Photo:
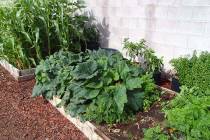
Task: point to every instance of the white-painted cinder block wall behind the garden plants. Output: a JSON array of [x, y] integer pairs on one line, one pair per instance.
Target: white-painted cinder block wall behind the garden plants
[[172, 27]]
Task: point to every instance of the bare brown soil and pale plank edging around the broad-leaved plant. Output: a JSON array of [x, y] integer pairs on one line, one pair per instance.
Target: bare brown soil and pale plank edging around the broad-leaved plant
[[123, 131]]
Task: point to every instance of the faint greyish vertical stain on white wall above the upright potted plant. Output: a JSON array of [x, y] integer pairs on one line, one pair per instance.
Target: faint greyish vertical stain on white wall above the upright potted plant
[[150, 22]]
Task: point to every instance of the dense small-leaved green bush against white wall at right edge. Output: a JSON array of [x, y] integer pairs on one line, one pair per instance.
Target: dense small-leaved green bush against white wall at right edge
[[194, 71]]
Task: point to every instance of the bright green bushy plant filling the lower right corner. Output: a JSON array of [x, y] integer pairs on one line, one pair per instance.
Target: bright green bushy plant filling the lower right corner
[[188, 116]]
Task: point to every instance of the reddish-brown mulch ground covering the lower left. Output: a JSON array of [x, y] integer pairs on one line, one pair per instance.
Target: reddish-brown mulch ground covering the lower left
[[24, 118]]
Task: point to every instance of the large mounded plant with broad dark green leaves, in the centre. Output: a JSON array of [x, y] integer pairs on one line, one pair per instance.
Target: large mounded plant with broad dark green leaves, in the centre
[[94, 85]]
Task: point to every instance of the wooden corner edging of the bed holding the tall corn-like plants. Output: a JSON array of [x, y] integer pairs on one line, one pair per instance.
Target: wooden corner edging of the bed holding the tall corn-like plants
[[19, 75]]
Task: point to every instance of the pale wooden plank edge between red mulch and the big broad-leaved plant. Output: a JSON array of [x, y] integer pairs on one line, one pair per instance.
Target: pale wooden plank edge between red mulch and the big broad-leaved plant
[[87, 128]]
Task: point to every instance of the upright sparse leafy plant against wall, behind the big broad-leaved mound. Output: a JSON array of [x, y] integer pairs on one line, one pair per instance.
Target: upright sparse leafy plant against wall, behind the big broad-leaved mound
[[140, 50]]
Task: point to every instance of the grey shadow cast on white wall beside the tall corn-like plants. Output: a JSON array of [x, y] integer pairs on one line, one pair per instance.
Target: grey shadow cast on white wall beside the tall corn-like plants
[[103, 28]]
